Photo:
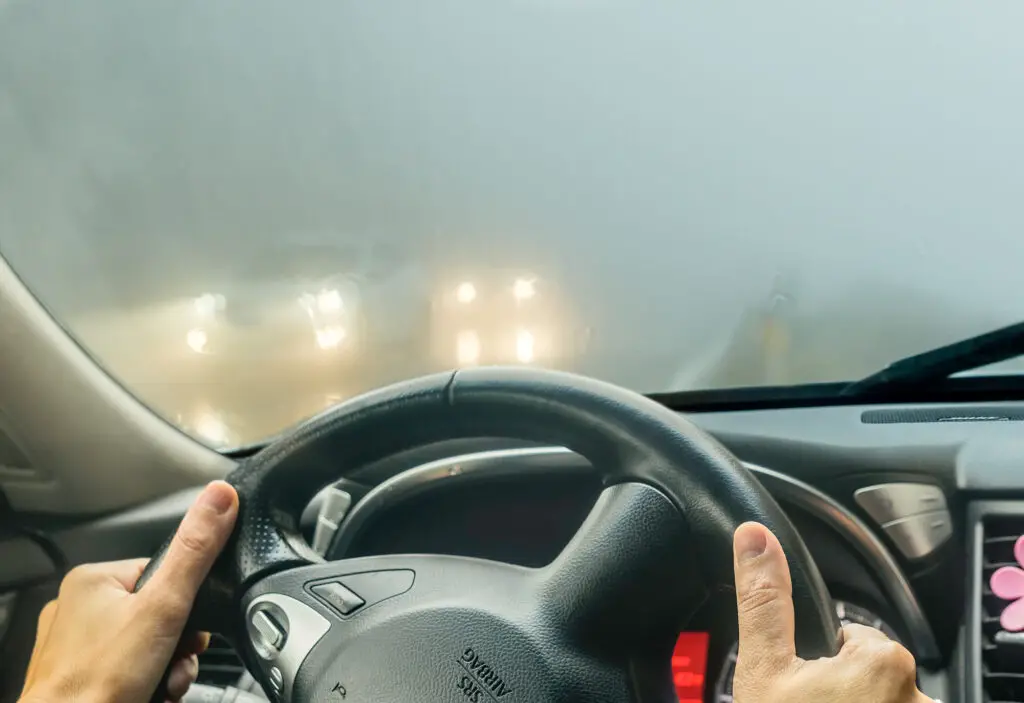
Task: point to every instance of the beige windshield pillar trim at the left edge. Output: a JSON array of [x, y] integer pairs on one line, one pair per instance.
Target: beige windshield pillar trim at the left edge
[[92, 447]]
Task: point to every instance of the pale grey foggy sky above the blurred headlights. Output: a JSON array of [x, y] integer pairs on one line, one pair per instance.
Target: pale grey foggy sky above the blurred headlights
[[666, 159]]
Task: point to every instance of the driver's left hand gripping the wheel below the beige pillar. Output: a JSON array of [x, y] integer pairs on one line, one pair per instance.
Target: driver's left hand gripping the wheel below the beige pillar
[[101, 643]]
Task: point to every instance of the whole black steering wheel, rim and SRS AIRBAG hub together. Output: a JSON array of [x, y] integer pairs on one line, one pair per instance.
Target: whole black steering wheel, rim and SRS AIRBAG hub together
[[598, 625]]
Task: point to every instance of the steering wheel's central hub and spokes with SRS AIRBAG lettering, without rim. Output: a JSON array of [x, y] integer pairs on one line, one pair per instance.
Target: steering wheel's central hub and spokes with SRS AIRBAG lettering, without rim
[[436, 626]]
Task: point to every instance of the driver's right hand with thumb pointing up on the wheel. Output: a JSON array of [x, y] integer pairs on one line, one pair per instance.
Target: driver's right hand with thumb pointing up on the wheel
[[869, 668]]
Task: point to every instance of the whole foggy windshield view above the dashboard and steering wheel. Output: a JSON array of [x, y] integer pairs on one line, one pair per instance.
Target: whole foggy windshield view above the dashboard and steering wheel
[[248, 211]]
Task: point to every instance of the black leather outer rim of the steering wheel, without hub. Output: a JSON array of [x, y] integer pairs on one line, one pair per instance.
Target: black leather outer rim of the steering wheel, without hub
[[626, 437]]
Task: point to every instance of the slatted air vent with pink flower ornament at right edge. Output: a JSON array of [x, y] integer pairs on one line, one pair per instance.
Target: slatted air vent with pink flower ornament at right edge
[[1002, 652]]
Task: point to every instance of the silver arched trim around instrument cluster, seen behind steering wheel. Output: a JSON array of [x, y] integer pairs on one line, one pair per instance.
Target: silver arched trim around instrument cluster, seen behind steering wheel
[[503, 463]]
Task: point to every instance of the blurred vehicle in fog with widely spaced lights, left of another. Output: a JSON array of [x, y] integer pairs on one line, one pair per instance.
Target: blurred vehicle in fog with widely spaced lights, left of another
[[339, 306]]
